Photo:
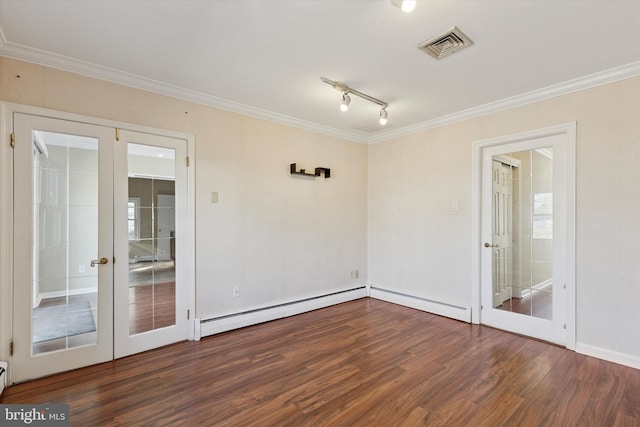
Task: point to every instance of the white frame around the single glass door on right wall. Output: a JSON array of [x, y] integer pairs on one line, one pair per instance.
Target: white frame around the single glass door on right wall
[[567, 130]]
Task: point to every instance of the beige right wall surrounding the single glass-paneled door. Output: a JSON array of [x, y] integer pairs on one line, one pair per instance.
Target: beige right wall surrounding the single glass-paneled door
[[420, 247]]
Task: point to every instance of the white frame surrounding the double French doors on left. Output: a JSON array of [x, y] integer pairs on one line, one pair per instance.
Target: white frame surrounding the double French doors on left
[[6, 209]]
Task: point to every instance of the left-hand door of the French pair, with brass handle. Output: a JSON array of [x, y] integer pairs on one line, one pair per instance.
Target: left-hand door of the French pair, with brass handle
[[63, 246]]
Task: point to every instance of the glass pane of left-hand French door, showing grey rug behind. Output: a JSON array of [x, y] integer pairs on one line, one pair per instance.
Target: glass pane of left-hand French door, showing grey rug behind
[[65, 240]]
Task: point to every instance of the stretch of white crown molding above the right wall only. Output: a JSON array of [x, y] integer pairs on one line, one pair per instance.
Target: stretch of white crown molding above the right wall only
[[592, 80]]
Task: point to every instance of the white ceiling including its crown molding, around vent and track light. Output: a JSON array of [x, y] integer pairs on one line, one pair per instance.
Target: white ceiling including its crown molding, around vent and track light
[[265, 58]]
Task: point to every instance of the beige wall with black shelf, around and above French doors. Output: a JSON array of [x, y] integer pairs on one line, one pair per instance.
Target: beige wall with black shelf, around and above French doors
[[280, 238]]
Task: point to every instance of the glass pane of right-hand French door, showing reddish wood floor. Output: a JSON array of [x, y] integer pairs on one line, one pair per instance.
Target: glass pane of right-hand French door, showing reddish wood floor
[[151, 214]]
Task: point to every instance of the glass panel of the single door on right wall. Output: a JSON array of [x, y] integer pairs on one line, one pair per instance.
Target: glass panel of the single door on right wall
[[522, 232]]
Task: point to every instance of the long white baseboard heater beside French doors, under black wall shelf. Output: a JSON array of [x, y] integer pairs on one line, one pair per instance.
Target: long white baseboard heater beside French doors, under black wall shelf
[[216, 325]]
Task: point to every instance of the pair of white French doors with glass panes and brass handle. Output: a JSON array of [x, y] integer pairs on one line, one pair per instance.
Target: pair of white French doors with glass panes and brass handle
[[94, 278]]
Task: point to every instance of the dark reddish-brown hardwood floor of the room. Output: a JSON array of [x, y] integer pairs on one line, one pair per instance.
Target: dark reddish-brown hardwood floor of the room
[[361, 363]]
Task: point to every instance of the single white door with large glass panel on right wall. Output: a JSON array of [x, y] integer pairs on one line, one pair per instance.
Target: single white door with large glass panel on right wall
[[524, 210]]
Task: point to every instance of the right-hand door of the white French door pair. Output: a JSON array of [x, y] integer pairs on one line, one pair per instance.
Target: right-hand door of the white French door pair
[[151, 234]]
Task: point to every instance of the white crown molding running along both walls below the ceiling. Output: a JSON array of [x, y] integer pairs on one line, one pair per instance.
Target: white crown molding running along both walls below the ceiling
[[41, 57]]
